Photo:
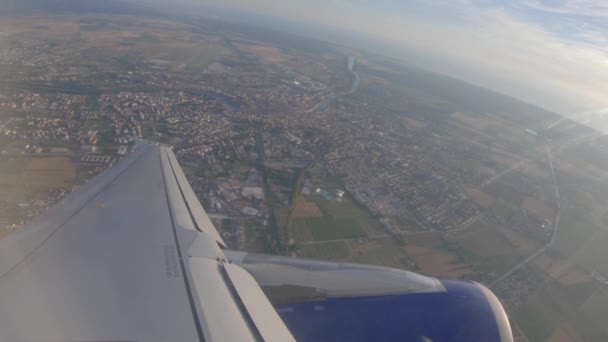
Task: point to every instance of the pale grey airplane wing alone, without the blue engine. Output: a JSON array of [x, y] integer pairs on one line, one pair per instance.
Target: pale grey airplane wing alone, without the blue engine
[[130, 256]]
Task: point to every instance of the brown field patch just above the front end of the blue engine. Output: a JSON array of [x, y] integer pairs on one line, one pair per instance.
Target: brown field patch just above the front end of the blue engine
[[435, 263]]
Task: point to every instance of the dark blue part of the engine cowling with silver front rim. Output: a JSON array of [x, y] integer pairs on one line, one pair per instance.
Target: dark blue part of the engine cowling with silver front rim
[[466, 311]]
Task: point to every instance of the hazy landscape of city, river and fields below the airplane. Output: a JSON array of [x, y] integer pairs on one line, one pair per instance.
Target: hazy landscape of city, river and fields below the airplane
[[302, 148]]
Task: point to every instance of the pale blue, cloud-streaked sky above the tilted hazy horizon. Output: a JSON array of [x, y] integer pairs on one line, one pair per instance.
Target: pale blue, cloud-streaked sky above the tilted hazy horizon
[[550, 53]]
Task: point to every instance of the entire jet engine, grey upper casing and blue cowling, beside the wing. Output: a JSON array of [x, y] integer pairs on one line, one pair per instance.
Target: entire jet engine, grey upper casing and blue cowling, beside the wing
[[329, 301]]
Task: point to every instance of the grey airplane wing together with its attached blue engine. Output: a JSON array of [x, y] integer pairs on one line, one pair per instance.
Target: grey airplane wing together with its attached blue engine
[[132, 256]]
